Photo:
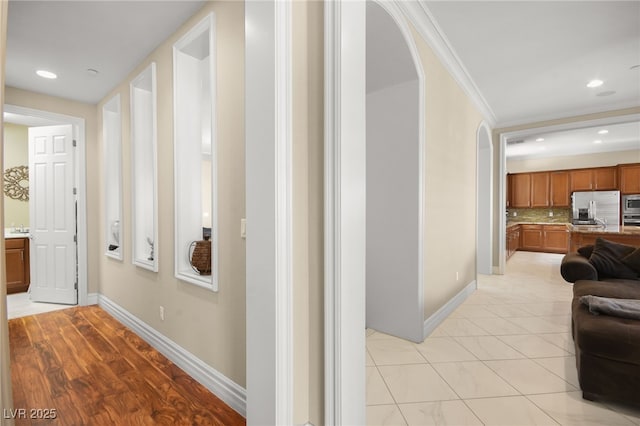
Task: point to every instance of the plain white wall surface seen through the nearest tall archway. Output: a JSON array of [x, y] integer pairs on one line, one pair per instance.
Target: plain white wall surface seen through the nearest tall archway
[[393, 299]]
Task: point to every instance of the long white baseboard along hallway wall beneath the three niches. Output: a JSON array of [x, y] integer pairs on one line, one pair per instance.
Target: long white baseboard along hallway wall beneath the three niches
[[231, 393]]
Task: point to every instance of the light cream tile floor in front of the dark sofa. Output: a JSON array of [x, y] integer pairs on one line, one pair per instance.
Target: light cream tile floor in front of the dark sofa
[[504, 357]]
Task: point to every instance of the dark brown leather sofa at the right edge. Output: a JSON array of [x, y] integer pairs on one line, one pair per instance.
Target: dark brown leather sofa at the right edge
[[607, 347]]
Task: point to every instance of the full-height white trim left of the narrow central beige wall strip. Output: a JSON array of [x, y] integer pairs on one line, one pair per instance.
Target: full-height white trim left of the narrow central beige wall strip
[[268, 85]]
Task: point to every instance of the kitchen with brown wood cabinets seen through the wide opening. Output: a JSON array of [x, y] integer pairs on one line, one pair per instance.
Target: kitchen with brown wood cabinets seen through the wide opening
[[556, 199]]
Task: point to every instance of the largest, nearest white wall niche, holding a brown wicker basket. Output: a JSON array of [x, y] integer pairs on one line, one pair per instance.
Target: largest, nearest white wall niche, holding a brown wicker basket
[[195, 165]]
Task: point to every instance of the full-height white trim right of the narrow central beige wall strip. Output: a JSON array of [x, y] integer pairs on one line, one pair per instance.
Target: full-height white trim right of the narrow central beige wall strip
[[345, 206]]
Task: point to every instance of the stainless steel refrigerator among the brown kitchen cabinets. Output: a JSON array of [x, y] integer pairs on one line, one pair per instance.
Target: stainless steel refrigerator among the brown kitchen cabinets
[[596, 207]]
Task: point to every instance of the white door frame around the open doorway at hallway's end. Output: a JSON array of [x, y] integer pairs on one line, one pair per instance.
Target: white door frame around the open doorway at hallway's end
[[79, 132]]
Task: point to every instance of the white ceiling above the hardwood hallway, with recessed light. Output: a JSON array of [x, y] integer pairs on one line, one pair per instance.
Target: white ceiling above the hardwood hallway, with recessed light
[[71, 37]]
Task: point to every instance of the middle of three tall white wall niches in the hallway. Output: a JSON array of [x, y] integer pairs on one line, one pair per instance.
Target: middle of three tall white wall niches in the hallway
[[144, 174]]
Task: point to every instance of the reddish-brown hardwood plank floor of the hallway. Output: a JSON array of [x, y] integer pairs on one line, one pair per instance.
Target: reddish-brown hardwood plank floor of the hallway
[[82, 367]]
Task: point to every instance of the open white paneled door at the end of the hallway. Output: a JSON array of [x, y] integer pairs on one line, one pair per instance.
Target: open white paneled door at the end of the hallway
[[52, 215]]
